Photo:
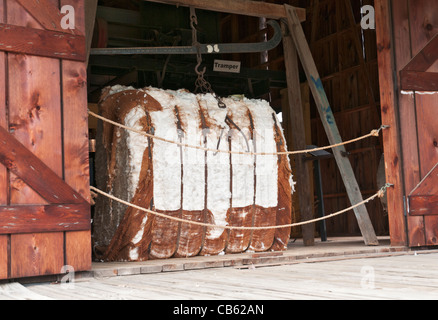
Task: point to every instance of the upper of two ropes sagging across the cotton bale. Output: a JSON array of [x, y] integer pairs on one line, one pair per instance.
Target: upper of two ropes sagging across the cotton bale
[[373, 133]]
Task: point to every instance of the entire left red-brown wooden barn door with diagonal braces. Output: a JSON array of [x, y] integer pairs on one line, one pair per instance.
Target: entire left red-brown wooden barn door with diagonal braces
[[44, 168]]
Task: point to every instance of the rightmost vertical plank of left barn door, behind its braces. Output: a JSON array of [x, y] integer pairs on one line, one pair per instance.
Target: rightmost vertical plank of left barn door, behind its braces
[[75, 130]]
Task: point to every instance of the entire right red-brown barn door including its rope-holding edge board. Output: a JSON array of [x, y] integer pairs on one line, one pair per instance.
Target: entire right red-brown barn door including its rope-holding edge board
[[407, 31]]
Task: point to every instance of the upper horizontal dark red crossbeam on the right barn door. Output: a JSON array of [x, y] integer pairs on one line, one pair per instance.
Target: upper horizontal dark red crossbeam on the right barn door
[[418, 81]]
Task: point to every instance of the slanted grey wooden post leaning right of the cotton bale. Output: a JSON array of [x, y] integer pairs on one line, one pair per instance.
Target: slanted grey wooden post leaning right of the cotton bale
[[330, 126]]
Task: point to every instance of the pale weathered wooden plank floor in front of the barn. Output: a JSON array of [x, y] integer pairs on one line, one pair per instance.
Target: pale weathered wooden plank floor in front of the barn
[[386, 275]]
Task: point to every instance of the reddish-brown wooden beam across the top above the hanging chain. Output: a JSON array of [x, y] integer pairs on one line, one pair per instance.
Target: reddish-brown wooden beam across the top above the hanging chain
[[242, 7]]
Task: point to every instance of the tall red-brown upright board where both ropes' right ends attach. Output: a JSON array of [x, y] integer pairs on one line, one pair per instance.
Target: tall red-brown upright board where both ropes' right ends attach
[[393, 157]]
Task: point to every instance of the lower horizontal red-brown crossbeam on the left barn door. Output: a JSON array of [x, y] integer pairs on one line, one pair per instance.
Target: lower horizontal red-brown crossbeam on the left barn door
[[44, 218]]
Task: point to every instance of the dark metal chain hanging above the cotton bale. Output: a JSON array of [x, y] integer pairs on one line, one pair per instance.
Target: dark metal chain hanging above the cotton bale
[[201, 84]]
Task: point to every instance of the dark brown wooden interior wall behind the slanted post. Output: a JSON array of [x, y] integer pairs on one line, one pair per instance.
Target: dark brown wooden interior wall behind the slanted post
[[346, 57]]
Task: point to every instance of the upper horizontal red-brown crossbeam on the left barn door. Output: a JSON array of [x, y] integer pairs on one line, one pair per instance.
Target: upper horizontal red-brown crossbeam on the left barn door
[[42, 43]]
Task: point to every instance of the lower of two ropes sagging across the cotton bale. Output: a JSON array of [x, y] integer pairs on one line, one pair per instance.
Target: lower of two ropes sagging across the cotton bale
[[379, 194]]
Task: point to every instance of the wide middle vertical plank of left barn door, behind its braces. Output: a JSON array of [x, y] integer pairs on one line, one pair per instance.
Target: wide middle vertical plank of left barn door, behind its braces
[[35, 120]]
